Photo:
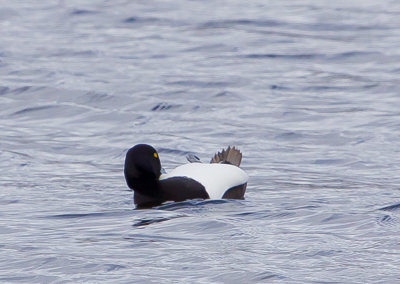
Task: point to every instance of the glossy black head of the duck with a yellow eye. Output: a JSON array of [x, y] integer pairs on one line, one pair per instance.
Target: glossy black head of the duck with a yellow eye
[[142, 169]]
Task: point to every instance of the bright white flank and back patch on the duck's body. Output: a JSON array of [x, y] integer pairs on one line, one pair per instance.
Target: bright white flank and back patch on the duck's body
[[216, 178]]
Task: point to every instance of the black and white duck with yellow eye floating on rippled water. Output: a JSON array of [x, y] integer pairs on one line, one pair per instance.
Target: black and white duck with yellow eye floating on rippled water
[[222, 178]]
